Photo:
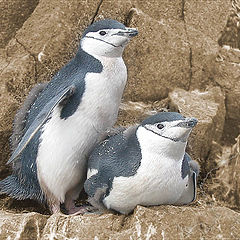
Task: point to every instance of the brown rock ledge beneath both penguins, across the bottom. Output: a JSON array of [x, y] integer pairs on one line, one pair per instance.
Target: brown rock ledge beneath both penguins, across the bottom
[[194, 222]]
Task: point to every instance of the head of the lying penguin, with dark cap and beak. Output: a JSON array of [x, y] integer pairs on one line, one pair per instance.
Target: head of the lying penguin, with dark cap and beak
[[170, 125]]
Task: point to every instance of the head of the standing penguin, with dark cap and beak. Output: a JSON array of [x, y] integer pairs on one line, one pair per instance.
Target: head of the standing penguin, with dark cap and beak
[[106, 38]]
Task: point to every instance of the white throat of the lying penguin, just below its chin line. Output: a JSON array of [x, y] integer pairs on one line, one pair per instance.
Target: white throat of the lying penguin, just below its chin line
[[163, 147]]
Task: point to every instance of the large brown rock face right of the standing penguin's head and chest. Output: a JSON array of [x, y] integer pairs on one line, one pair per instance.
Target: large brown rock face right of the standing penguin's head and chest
[[176, 45]]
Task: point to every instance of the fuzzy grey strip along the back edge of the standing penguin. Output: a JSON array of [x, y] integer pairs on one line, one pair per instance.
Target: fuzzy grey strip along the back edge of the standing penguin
[[21, 115]]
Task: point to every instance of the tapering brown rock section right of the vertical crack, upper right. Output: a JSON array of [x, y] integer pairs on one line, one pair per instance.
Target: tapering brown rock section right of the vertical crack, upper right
[[204, 21]]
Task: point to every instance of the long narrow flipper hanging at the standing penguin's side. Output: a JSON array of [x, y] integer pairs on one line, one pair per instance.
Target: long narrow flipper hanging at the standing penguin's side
[[41, 119]]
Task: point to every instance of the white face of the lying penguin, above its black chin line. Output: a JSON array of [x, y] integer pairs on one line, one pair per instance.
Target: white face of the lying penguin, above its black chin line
[[177, 131]]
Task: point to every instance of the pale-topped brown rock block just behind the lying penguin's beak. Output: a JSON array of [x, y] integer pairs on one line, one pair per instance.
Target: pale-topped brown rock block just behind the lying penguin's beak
[[208, 107]]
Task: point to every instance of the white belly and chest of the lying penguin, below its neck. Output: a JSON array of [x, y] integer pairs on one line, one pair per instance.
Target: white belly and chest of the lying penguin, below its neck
[[156, 182]]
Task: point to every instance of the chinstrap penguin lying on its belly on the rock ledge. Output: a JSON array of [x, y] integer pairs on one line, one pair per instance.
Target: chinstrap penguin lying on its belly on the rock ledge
[[144, 165]]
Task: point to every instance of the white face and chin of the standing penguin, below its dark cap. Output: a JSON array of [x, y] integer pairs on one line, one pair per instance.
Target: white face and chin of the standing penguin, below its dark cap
[[107, 42]]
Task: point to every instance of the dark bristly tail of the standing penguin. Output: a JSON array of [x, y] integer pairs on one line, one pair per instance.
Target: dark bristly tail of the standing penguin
[[13, 187]]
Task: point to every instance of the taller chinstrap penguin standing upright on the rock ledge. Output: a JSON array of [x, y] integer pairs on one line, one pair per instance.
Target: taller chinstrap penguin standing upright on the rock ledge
[[61, 121]]
